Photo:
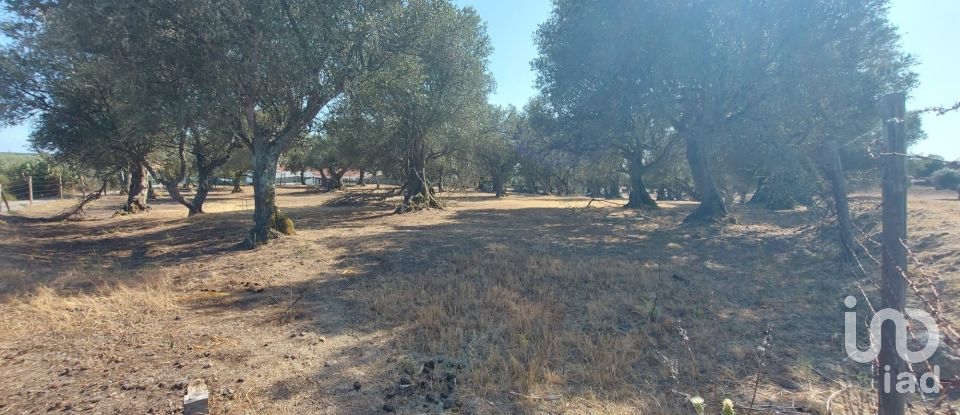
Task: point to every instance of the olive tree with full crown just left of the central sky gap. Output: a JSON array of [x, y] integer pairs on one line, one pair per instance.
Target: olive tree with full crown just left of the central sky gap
[[420, 99]]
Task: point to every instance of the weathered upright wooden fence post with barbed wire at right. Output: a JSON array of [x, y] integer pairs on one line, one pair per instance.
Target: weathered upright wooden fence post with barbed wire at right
[[894, 286]]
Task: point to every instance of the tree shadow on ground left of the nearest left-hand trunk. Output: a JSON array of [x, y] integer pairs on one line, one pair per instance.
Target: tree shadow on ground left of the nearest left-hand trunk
[[37, 254]]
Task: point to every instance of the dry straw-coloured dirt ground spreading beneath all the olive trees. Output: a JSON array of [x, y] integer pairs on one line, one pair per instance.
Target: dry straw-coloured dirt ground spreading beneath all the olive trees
[[520, 305]]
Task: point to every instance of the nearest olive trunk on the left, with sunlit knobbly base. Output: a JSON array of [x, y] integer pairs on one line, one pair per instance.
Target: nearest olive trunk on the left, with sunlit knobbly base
[[264, 196]]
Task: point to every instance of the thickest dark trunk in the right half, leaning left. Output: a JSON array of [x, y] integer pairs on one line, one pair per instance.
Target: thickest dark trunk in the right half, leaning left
[[711, 207]]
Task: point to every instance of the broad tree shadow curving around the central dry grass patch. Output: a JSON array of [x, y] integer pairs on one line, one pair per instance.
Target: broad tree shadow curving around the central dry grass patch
[[754, 272]]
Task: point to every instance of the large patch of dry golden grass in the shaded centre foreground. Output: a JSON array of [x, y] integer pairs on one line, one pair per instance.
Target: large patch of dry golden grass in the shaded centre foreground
[[552, 331]]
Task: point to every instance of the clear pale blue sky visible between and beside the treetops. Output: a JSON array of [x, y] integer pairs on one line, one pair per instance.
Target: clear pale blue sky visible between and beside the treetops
[[929, 29]]
